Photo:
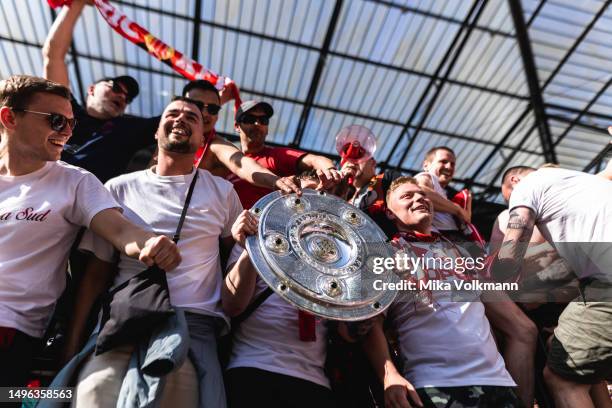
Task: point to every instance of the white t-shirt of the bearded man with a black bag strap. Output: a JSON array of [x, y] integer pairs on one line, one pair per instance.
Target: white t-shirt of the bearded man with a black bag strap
[[155, 203]]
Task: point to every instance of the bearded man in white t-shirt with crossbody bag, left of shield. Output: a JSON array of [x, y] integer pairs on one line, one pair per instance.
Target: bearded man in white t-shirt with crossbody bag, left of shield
[[154, 199]]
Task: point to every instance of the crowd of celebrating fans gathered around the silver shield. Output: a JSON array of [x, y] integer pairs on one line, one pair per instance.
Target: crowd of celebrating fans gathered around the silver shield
[[64, 188]]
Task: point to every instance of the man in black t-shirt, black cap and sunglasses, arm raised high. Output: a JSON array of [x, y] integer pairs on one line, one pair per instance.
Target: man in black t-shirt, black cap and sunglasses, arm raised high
[[105, 139]]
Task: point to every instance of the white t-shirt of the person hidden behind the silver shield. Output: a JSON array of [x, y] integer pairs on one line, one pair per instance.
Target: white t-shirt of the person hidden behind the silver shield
[[269, 340]]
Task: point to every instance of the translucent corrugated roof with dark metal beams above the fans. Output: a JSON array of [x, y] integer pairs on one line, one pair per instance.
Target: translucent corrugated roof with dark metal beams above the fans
[[502, 82]]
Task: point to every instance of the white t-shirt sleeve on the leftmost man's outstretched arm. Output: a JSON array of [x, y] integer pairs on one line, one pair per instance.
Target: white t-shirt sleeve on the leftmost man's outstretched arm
[[90, 197]]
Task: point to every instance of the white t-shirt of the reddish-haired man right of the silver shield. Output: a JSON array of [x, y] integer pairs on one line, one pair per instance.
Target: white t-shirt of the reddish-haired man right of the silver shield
[[446, 343]]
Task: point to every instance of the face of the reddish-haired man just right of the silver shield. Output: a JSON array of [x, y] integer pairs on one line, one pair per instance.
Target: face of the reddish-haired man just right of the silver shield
[[410, 207]]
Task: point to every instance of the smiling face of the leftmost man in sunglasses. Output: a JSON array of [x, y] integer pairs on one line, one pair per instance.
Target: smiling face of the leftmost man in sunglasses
[[33, 137]]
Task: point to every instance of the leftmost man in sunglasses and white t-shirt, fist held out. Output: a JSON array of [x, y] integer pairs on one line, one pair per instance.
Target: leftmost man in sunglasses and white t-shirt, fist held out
[[43, 204]]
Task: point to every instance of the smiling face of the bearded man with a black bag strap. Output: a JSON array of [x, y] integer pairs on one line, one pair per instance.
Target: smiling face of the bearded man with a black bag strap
[[180, 128]]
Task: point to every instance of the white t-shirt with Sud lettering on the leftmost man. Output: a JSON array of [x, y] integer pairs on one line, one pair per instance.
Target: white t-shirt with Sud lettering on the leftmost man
[[40, 216]]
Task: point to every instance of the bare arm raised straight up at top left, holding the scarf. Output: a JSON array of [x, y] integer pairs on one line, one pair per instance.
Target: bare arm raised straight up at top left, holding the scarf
[[58, 43]]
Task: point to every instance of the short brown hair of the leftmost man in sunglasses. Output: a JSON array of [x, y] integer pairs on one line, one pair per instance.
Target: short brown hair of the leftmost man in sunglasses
[[17, 91]]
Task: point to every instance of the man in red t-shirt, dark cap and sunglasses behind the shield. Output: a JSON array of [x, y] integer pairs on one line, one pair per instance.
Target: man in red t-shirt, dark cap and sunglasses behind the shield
[[252, 120]]
